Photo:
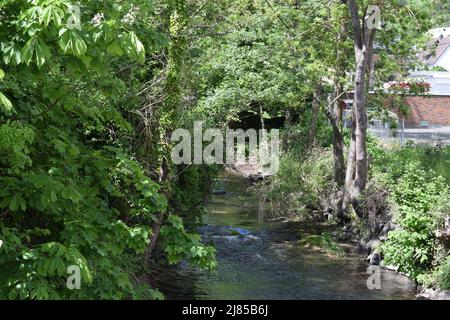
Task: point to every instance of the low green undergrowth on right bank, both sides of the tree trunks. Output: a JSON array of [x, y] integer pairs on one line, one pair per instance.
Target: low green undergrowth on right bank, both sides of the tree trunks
[[409, 186]]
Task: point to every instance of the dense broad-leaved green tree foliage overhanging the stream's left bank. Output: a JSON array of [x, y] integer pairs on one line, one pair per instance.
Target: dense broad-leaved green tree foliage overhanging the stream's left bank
[[73, 191]]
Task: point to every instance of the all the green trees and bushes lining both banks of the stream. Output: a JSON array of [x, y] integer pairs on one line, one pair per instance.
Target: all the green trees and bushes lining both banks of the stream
[[89, 95]]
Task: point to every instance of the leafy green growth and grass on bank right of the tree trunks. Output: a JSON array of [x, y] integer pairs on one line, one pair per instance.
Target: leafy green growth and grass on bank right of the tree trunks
[[420, 198]]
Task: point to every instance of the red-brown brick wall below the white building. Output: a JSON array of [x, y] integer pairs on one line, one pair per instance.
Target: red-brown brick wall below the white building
[[431, 110]]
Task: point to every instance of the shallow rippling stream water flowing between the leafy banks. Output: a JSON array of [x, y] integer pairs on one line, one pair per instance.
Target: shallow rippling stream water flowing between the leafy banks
[[264, 260]]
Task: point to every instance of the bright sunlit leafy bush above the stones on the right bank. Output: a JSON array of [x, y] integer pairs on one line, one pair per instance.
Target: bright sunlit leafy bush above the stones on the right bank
[[419, 196]]
